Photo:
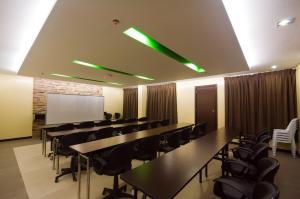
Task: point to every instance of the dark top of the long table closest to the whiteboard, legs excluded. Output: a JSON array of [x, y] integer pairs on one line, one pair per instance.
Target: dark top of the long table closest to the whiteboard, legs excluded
[[95, 128]]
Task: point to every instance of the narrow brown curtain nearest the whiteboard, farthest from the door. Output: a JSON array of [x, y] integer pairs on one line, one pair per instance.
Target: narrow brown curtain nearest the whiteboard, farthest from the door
[[130, 103]]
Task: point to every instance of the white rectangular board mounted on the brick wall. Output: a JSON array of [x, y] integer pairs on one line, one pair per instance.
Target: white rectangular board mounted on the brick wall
[[73, 108]]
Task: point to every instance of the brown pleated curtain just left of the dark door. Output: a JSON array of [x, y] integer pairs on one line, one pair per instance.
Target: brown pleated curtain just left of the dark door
[[162, 102]]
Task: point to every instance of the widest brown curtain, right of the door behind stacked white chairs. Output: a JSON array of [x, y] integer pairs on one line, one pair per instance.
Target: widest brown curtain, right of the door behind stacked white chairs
[[264, 100]]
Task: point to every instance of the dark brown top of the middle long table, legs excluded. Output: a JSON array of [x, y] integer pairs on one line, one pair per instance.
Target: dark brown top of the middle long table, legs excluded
[[113, 141]]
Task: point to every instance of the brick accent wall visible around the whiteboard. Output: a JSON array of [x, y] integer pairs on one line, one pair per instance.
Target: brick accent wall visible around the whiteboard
[[43, 86]]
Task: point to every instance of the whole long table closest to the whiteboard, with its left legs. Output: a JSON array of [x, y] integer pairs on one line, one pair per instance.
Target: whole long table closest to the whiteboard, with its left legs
[[54, 134]]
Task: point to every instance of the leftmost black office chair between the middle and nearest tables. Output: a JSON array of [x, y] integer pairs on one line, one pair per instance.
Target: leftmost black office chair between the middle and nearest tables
[[116, 163]]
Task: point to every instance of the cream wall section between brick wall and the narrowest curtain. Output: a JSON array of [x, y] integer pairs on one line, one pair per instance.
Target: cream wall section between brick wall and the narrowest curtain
[[113, 99]]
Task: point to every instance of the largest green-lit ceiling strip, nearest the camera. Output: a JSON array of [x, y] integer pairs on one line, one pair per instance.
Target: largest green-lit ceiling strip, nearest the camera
[[150, 42]]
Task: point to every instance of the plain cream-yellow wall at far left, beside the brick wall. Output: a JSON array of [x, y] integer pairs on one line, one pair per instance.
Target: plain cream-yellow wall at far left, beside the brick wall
[[15, 106]]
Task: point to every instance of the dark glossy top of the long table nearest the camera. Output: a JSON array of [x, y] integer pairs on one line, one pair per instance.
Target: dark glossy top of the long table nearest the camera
[[167, 175]]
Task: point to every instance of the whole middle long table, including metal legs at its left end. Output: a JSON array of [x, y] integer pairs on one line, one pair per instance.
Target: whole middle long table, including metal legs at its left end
[[85, 149]]
